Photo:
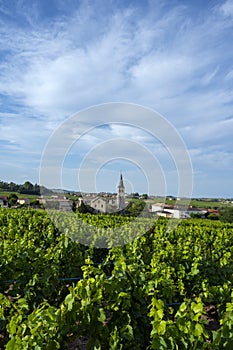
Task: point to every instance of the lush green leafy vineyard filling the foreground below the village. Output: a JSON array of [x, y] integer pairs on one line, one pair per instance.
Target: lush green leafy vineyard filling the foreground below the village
[[166, 289]]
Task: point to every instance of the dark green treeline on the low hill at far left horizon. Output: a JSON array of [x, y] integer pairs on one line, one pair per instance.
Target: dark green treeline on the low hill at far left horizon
[[26, 188]]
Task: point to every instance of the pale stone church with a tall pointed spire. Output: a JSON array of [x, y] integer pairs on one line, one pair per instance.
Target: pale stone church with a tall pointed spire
[[110, 203]]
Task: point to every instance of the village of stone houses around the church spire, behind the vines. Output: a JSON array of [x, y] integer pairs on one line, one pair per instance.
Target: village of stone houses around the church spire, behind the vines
[[111, 203]]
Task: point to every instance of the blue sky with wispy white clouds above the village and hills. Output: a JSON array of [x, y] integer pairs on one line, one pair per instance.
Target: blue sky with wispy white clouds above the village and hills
[[59, 58]]
